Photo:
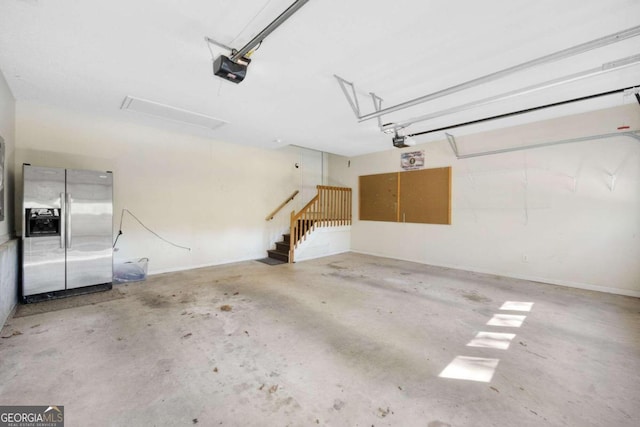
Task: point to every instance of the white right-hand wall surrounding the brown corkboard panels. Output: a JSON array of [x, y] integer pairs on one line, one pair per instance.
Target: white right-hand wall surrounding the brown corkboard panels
[[546, 214]]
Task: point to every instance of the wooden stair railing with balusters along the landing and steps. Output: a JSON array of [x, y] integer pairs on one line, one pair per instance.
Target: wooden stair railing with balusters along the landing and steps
[[331, 207]]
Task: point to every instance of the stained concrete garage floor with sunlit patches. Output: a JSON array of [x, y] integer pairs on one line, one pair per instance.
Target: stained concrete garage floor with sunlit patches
[[349, 340]]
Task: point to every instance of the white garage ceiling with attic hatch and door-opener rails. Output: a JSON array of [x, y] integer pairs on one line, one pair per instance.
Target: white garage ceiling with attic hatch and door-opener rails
[[90, 55]]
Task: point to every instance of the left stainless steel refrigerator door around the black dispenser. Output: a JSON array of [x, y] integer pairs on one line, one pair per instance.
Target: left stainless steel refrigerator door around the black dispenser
[[43, 256]]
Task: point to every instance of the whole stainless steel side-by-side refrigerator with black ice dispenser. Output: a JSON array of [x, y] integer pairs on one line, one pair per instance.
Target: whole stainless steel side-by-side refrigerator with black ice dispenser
[[67, 232]]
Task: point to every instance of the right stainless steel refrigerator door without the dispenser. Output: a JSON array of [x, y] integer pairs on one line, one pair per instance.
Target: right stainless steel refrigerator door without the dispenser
[[89, 228]]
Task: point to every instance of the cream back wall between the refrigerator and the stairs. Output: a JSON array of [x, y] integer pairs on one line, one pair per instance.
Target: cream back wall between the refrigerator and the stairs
[[210, 196]]
